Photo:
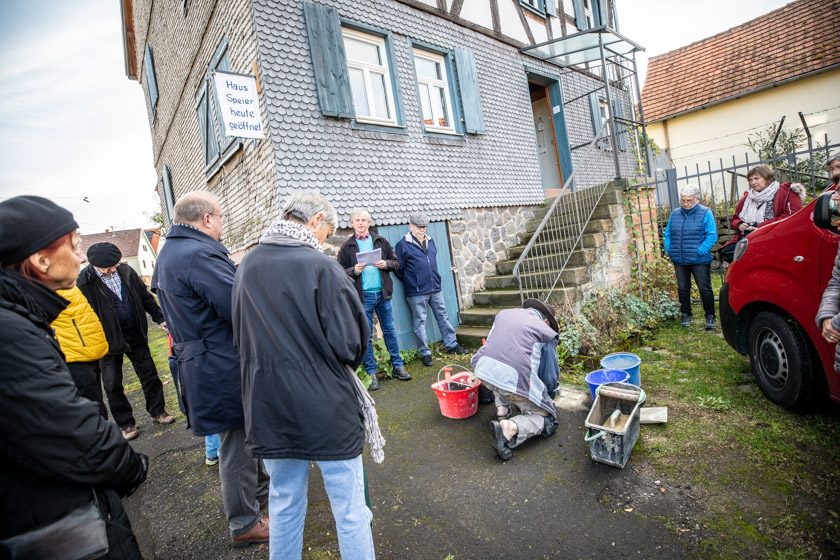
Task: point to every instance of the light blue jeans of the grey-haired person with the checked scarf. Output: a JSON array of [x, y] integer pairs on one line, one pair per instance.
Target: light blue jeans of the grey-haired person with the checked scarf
[[344, 482]]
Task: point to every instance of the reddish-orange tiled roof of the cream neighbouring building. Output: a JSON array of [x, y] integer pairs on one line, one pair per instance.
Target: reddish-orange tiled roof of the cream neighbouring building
[[792, 42]]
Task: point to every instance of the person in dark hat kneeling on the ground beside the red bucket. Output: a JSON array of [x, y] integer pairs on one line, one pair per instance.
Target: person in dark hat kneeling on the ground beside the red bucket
[[519, 364]]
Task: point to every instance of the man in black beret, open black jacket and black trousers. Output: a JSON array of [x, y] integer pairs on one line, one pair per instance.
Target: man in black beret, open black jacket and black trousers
[[121, 300]]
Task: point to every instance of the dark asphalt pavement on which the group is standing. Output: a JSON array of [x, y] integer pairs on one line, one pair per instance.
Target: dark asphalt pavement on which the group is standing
[[441, 493]]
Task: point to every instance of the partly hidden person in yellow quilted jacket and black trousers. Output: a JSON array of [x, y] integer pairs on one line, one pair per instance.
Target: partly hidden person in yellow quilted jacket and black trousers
[[83, 342]]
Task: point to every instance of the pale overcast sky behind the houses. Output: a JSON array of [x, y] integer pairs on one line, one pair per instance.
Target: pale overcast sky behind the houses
[[74, 127]]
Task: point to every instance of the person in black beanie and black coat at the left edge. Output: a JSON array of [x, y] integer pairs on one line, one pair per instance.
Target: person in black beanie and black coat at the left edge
[[60, 460]]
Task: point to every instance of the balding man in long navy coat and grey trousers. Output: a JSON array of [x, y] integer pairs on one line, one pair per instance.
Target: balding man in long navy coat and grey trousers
[[193, 279]]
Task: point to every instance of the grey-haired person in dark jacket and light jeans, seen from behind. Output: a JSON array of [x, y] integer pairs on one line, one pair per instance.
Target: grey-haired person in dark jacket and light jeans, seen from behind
[[301, 332]]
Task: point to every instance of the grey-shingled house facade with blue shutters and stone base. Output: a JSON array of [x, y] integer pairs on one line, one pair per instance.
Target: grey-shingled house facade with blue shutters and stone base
[[394, 106]]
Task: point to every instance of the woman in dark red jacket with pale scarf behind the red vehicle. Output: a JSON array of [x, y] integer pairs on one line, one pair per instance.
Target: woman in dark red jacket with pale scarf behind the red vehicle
[[766, 202]]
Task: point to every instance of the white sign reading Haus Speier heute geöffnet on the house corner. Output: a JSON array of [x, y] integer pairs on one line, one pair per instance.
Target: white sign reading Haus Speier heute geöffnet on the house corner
[[239, 104]]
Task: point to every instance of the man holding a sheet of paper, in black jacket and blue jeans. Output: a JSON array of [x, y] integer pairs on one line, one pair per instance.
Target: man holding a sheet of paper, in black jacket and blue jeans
[[367, 258]]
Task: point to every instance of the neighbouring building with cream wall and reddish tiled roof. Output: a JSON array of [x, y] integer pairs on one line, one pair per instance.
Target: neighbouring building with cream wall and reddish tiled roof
[[702, 101]]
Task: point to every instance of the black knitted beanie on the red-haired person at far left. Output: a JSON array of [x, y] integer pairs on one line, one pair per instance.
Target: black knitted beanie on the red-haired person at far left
[[30, 223]]
